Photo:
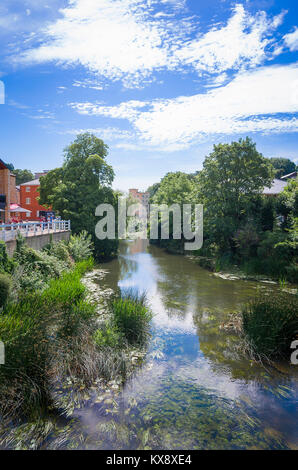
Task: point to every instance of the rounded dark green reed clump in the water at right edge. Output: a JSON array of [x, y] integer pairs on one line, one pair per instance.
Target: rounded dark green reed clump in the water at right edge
[[270, 324]]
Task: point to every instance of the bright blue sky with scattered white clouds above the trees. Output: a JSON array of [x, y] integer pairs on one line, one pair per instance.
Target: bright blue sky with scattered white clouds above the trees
[[159, 81]]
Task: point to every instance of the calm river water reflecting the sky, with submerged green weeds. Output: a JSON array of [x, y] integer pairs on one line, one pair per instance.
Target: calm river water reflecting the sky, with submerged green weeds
[[195, 389]]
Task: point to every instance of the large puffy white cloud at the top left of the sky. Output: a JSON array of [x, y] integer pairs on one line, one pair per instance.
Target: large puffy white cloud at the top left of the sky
[[113, 39]]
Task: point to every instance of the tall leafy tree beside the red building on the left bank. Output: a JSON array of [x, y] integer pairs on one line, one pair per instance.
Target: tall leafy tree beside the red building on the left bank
[[75, 190]]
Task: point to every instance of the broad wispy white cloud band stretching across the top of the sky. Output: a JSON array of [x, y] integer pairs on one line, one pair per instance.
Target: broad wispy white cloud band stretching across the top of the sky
[[129, 39]]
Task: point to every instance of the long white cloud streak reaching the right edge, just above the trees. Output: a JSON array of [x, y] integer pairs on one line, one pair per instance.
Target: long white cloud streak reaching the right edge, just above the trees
[[255, 101]]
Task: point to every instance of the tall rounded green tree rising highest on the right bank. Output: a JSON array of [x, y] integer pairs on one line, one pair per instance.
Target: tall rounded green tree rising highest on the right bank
[[233, 174]]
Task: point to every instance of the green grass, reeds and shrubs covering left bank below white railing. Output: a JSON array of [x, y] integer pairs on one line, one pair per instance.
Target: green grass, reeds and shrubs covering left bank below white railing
[[52, 333]]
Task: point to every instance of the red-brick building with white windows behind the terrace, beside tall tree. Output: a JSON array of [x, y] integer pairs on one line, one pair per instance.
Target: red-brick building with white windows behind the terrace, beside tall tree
[[29, 192]]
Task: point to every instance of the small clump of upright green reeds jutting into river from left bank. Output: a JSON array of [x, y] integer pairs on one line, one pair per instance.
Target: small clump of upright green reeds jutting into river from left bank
[[132, 316]]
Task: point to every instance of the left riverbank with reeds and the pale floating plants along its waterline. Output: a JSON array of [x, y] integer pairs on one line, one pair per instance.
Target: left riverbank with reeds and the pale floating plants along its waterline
[[58, 351]]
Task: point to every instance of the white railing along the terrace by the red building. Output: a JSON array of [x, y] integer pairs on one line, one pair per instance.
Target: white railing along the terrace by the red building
[[31, 229]]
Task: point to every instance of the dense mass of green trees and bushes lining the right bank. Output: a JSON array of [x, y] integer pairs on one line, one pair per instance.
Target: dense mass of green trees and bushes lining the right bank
[[241, 226]]
